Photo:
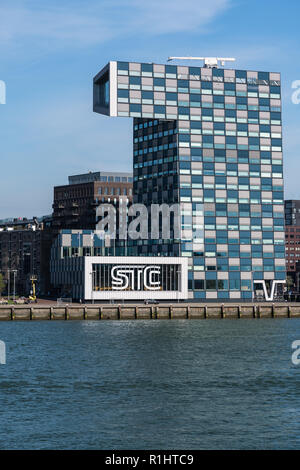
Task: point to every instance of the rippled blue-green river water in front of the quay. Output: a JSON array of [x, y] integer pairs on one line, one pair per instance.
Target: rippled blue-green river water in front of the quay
[[193, 384]]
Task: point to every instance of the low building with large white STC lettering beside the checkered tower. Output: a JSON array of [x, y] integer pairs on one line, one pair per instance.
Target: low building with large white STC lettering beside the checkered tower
[[84, 265]]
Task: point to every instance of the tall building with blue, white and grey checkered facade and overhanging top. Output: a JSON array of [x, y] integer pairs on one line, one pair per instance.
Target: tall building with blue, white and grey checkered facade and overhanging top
[[210, 138]]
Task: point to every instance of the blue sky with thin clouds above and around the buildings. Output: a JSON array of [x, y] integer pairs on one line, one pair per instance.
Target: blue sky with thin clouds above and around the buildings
[[50, 50]]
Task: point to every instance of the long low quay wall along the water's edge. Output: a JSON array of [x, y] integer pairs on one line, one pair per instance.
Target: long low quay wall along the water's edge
[[140, 312]]
